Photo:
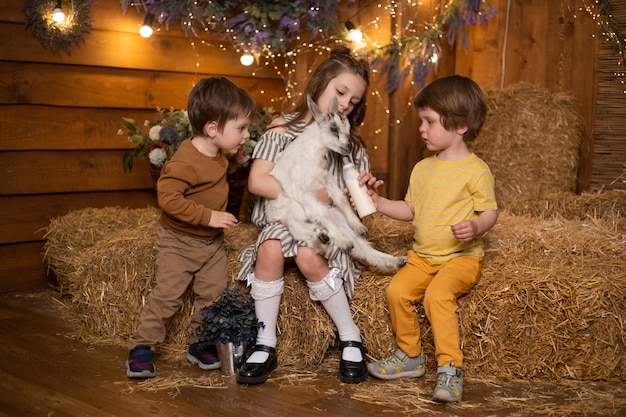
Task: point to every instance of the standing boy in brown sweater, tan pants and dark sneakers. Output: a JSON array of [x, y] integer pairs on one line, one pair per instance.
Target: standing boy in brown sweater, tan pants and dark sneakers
[[192, 194]]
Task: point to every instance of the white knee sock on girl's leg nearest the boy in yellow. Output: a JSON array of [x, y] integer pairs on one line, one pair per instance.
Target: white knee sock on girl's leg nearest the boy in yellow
[[331, 294]]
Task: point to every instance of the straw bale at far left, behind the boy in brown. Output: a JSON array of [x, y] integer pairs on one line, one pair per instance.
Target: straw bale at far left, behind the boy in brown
[[103, 261]]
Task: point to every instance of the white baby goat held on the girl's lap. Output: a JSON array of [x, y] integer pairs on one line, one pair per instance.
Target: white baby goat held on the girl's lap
[[301, 171]]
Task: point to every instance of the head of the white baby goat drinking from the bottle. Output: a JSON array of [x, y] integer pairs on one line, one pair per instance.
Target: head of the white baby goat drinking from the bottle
[[334, 128]]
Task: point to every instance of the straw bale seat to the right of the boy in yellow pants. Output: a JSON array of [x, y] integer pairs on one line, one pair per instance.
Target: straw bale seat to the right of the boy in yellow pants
[[550, 303]]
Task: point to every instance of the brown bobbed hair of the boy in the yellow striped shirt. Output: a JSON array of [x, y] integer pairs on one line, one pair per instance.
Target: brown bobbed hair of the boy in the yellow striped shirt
[[458, 100]]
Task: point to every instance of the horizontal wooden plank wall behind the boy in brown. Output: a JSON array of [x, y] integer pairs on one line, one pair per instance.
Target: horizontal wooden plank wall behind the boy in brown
[[59, 148]]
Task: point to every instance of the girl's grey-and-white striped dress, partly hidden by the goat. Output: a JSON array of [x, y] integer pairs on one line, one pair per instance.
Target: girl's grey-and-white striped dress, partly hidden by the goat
[[269, 147]]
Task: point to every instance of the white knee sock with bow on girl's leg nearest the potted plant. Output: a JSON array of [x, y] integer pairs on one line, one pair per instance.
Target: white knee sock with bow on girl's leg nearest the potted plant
[[267, 297]]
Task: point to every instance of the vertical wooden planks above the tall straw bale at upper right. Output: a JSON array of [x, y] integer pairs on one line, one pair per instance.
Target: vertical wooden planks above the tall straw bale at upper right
[[551, 44]]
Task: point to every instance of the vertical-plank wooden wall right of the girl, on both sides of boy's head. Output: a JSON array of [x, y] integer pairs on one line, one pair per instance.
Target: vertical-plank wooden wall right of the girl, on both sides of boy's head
[[550, 44]]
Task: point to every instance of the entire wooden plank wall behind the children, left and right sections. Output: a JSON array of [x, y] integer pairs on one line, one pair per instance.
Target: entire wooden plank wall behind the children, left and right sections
[[59, 150]]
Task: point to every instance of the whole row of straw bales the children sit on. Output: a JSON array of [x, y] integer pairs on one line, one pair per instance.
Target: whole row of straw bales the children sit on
[[550, 303]]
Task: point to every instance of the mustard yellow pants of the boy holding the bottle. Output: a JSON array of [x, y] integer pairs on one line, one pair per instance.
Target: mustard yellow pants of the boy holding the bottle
[[439, 286]]
